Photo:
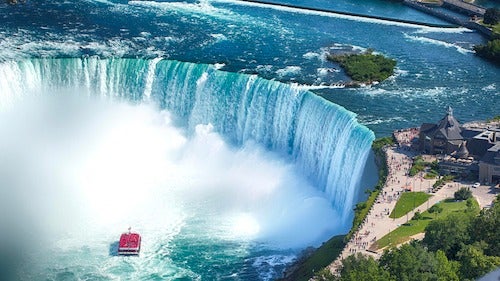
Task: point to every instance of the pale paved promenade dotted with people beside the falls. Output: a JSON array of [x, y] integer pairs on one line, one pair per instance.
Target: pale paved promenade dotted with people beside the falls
[[378, 224]]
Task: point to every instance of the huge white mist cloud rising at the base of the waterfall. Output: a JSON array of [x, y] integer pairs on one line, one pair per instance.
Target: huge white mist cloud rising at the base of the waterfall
[[111, 165]]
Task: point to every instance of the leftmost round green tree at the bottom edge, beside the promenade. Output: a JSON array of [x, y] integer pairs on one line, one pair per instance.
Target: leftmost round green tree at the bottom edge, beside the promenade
[[359, 267]]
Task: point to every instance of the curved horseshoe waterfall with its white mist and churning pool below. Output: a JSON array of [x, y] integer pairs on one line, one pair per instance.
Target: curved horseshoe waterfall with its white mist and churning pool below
[[226, 176]]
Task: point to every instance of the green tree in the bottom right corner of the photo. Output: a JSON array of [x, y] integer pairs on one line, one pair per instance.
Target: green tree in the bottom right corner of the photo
[[474, 263]]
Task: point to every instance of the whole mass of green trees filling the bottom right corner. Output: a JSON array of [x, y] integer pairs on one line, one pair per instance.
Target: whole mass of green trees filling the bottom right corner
[[456, 247]]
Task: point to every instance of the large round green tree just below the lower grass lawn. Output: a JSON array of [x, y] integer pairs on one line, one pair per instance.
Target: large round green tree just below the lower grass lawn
[[448, 234]]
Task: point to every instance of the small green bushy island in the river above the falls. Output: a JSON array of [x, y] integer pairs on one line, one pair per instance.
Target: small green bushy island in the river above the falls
[[365, 67]]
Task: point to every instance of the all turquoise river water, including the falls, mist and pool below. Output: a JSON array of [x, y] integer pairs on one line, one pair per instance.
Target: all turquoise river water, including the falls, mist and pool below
[[276, 168]]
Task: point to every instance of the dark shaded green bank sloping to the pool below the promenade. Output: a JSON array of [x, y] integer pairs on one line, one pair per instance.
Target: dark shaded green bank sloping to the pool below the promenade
[[320, 258]]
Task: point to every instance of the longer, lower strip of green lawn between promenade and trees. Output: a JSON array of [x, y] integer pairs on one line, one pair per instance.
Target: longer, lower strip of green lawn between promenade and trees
[[403, 233]]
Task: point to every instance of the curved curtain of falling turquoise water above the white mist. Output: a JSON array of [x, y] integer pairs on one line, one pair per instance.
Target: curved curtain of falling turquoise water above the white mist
[[323, 139]]
